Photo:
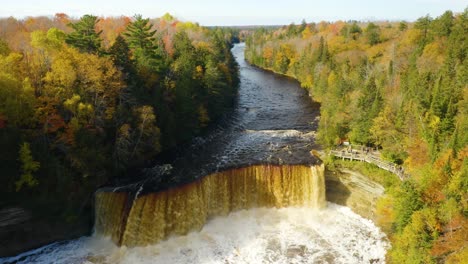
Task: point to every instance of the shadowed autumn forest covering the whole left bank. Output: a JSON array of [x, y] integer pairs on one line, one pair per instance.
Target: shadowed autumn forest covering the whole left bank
[[85, 101]]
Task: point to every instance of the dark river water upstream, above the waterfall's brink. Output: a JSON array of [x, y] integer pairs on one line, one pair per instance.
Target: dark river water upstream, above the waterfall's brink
[[274, 122]]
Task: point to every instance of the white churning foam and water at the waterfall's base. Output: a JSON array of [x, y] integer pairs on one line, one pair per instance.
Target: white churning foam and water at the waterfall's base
[[263, 235]]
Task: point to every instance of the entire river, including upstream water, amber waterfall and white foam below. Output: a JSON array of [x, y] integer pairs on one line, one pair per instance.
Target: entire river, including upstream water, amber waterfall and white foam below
[[247, 193]]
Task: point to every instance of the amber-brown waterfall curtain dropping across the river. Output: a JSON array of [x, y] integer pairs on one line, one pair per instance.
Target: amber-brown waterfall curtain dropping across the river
[[153, 217]]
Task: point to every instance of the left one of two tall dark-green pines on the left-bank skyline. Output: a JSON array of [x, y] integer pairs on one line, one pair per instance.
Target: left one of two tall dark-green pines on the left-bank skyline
[[85, 37]]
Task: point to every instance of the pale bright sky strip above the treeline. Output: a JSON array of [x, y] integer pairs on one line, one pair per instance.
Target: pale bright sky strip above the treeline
[[239, 12]]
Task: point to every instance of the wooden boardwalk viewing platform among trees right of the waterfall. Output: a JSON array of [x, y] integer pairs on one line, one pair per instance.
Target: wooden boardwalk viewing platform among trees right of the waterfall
[[362, 153]]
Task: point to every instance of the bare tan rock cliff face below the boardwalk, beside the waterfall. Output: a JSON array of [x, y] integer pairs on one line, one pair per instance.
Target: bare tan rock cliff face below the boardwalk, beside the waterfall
[[354, 190]]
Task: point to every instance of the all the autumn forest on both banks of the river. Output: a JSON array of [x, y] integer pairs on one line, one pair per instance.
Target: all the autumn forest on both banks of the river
[[92, 100]]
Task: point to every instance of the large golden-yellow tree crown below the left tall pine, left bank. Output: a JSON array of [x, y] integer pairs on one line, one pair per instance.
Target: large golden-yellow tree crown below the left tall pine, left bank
[[94, 79]]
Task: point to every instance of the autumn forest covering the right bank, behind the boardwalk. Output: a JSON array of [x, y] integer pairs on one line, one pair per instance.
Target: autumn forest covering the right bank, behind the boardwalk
[[403, 88]]
